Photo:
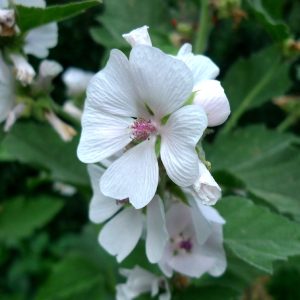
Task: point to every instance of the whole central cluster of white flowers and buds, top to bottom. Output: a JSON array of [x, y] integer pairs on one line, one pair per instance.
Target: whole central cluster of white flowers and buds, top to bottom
[[143, 120]]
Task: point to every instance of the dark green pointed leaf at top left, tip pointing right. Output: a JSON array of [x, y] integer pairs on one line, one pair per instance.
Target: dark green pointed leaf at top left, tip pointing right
[[32, 17]]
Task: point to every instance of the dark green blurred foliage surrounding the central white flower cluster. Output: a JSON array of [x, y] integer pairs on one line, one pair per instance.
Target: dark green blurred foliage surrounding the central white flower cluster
[[48, 248]]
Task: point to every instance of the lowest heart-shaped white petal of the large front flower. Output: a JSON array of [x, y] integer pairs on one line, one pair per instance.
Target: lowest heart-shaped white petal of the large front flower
[[134, 175]]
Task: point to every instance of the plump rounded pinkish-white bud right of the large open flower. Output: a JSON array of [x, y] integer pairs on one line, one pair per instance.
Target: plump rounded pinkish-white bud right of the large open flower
[[210, 95]]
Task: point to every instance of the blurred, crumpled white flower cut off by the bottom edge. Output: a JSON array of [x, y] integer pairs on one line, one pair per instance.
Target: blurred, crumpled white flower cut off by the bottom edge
[[140, 281]]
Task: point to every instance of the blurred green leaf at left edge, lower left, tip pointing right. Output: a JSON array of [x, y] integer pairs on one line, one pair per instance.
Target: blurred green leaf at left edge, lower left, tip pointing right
[[20, 217]]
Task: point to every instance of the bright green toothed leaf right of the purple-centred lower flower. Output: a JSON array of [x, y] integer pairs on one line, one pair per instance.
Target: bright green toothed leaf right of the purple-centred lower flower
[[257, 235]]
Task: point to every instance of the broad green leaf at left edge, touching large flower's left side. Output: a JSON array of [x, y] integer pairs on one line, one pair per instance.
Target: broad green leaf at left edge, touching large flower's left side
[[38, 145]]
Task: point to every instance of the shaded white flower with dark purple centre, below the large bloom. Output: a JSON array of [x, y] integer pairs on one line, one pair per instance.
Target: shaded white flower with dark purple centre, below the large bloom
[[195, 245]]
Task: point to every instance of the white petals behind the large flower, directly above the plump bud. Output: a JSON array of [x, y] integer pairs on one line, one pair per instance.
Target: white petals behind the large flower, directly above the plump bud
[[201, 66]]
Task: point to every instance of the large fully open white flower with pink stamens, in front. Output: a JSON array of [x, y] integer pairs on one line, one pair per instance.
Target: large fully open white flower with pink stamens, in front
[[126, 102]]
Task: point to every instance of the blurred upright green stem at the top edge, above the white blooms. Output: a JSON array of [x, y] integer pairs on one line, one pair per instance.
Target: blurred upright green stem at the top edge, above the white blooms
[[202, 34]]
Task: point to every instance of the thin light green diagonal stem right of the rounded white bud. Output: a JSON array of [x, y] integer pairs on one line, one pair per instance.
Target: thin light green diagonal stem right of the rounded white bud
[[248, 100]]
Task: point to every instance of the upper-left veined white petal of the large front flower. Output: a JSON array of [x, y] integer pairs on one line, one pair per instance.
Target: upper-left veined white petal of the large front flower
[[112, 89]]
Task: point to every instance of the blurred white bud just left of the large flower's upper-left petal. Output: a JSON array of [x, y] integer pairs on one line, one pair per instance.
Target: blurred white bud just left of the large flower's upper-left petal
[[76, 81]]
